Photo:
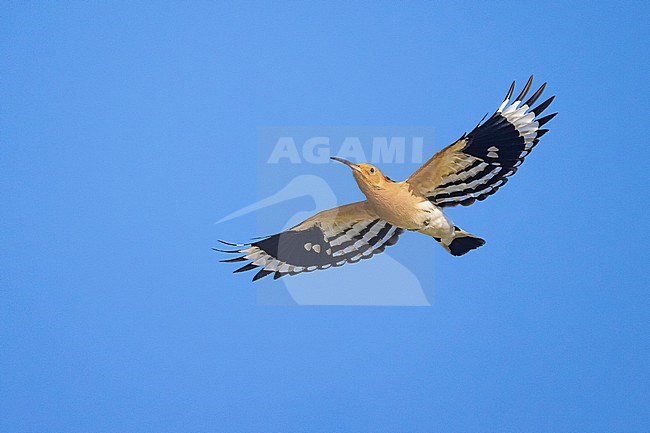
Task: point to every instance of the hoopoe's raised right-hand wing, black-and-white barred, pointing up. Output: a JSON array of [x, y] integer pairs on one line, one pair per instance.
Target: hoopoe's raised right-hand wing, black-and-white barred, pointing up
[[480, 162]]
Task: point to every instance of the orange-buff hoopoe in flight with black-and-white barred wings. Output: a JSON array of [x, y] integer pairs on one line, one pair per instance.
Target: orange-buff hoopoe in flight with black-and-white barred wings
[[472, 168]]
